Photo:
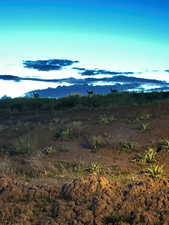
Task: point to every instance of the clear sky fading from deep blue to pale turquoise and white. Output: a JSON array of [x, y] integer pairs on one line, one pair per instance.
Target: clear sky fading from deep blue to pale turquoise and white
[[119, 35]]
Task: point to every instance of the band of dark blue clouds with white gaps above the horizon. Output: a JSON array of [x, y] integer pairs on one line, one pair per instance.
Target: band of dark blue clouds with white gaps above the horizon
[[88, 79]]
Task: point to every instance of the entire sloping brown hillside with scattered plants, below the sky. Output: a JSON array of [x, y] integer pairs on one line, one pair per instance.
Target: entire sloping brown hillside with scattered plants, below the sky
[[85, 160]]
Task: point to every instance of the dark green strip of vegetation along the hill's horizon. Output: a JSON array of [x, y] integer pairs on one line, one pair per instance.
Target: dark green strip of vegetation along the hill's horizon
[[114, 99]]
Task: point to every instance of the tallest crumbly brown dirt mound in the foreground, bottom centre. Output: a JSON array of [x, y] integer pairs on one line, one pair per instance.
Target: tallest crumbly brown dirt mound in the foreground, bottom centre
[[92, 199]]
